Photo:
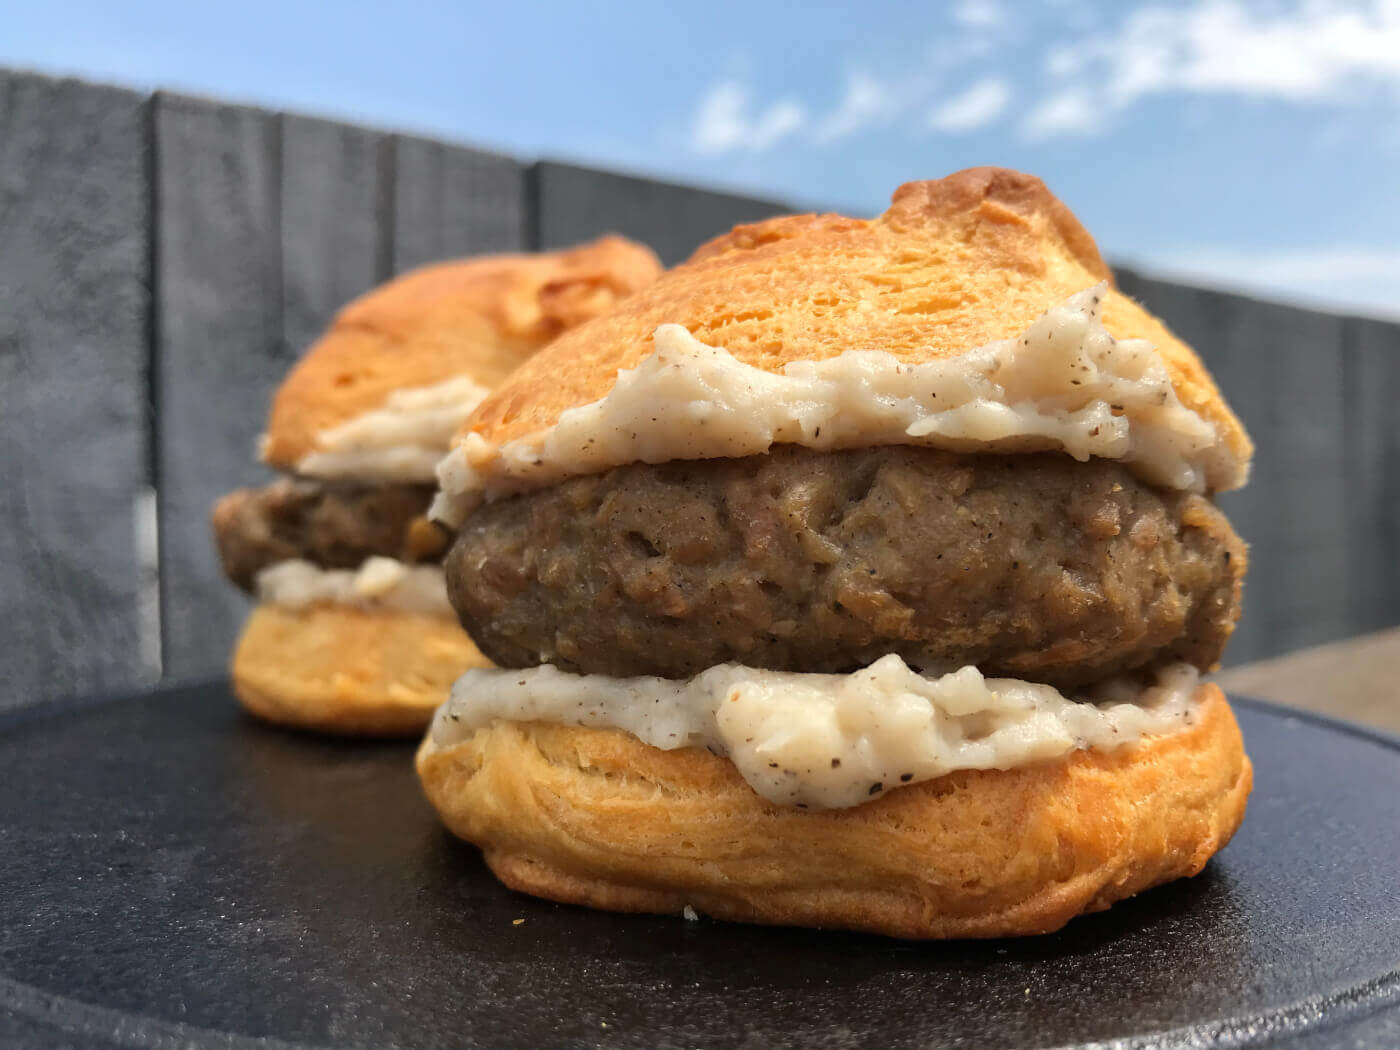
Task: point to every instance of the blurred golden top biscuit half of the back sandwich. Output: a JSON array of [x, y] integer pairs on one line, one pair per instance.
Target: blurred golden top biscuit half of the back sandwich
[[472, 317]]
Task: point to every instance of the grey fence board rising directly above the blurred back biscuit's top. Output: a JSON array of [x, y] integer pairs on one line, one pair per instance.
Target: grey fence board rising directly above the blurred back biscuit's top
[[450, 201]]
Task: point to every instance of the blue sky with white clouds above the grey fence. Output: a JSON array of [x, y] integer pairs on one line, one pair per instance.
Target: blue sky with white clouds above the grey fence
[[1244, 143]]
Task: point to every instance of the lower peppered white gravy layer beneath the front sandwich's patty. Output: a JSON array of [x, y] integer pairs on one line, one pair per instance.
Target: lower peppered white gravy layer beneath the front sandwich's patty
[[834, 741]]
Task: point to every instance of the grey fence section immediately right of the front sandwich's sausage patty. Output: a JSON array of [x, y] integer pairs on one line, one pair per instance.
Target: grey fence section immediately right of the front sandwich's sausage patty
[[1282, 370]]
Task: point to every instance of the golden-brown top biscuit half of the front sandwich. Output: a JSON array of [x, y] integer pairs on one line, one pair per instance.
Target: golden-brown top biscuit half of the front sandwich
[[953, 265]]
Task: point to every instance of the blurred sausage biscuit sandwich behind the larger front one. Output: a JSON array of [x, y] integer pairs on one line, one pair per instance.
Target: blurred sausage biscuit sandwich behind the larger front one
[[353, 632]]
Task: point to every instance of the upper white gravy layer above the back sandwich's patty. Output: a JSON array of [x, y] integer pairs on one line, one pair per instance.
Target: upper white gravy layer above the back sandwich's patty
[[402, 440]]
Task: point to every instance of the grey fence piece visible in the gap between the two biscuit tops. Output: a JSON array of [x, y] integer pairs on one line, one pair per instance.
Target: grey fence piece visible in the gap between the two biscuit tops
[[580, 204]]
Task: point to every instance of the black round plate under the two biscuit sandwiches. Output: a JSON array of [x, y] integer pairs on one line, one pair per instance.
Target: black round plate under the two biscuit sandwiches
[[180, 876]]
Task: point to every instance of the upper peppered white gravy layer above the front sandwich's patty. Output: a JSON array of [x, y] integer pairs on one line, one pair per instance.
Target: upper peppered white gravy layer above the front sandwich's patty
[[1065, 384]]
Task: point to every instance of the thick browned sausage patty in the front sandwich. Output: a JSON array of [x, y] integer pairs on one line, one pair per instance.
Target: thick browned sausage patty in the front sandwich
[[1028, 566]]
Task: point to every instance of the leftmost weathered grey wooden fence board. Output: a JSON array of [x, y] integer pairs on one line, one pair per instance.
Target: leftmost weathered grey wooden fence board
[[73, 355]]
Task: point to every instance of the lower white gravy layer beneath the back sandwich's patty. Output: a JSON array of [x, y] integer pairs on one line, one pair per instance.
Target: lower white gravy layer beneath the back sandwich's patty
[[381, 583]]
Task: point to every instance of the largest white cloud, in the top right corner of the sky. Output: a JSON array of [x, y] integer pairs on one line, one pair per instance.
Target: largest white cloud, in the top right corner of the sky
[[1303, 52]]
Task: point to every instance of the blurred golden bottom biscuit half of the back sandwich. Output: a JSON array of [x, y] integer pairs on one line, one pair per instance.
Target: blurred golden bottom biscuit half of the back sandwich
[[341, 670]]
